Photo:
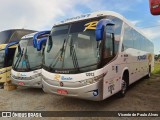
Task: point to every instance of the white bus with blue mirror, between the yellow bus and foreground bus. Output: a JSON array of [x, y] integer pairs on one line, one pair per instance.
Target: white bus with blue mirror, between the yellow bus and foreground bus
[[27, 64]]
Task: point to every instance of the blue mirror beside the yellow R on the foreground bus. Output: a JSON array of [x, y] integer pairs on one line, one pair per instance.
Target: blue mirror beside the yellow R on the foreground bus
[[100, 28]]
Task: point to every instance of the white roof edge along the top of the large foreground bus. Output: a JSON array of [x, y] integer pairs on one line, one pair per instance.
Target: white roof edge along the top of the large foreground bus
[[98, 14]]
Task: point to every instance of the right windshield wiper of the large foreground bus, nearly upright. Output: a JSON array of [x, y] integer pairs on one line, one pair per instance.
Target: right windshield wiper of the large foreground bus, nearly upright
[[73, 54]]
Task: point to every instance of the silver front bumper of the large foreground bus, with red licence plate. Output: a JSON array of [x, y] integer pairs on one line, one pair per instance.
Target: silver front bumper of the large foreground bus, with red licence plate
[[89, 92]]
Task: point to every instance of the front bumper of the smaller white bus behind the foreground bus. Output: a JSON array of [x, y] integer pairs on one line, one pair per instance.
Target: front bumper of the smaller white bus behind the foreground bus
[[34, 83]]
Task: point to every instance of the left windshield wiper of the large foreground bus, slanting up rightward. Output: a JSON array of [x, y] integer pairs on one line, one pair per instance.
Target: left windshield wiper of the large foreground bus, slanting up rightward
[[59, 58]]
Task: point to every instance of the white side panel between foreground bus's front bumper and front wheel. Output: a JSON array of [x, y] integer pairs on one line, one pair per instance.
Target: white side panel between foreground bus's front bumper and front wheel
[[112, 79]]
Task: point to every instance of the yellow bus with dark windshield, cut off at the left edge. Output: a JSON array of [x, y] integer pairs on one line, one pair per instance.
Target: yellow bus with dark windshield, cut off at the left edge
[[8, 43]]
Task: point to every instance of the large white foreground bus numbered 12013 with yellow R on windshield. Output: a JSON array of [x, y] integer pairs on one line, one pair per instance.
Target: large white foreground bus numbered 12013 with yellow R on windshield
[[95, 56]]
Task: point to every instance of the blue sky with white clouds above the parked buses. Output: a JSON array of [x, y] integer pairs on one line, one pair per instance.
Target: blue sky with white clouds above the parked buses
[[42, 14]]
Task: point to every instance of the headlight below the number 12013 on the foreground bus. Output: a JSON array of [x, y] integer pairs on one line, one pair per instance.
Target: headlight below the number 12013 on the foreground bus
[[92, 80]]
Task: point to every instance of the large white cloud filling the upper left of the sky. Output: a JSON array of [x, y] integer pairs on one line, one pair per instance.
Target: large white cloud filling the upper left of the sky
[[35, 14]]
